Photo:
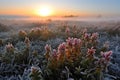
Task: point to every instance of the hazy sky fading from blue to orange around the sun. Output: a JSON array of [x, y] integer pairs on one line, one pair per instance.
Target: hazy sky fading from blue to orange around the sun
[[62, 7]]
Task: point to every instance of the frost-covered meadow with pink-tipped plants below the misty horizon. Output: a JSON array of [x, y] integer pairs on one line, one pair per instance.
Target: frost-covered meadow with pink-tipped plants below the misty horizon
[[59, 50]]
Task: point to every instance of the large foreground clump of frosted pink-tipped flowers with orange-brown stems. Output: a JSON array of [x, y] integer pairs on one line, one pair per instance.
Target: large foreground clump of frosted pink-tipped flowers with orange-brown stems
[[79, 56]]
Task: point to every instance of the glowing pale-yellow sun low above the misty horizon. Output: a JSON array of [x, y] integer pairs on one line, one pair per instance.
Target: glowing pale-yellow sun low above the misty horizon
[[45, 11]]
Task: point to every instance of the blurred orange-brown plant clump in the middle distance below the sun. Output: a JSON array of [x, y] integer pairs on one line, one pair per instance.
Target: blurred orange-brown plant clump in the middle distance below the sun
[[42, 33]]
